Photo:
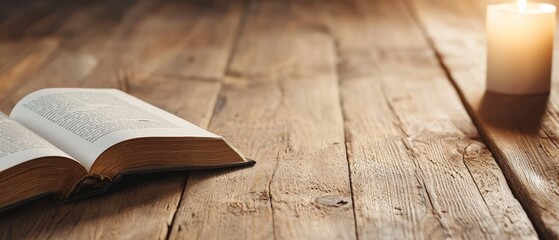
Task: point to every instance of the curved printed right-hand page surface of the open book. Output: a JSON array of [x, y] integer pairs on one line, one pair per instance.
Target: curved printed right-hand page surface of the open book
[[86, 122]]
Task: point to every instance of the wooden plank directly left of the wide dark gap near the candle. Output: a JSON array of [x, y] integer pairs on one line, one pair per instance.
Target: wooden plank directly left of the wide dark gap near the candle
[[418, 168]]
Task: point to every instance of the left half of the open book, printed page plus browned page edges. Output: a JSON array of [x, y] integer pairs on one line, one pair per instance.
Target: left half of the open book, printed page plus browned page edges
[[30, 166]]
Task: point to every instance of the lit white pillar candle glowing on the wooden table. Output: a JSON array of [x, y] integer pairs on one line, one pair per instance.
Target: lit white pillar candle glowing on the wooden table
[[520, 47]]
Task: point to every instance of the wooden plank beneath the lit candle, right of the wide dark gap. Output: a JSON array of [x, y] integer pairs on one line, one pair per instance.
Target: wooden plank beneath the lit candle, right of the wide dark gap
[[521, 131]]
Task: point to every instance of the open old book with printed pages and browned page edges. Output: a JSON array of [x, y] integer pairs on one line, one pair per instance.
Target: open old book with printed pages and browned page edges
[[74, 142]]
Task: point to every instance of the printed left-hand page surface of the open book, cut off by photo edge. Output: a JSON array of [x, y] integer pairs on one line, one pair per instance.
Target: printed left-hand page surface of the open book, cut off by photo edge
[[19, 144]]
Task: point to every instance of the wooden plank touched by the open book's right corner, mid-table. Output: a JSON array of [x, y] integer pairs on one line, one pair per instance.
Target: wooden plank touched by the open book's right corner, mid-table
[[279, 104]]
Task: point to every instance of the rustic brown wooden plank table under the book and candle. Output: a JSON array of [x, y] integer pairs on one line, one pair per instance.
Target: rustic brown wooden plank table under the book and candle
[[368, 119]]
